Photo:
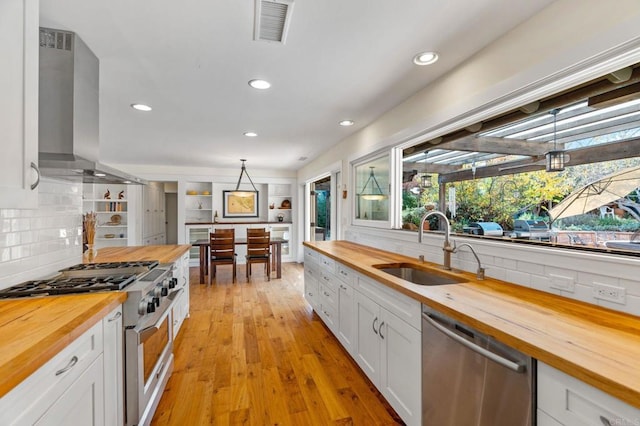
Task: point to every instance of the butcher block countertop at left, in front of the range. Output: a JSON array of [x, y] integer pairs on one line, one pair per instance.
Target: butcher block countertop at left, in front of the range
[[34, 330]]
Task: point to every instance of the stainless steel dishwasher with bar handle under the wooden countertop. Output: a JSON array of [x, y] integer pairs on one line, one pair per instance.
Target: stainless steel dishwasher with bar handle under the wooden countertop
[[470, 379]]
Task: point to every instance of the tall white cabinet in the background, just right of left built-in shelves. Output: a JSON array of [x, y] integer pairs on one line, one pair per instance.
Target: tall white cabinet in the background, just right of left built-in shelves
[[153, 214]]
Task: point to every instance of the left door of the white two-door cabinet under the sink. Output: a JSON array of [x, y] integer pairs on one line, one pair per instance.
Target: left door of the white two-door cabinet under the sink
[[368, 339]]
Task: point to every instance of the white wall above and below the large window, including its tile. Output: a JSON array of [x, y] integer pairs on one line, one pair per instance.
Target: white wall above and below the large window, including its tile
[[569, 42]]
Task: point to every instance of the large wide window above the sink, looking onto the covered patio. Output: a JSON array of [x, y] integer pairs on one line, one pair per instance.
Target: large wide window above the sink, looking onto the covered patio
[[494, 172]]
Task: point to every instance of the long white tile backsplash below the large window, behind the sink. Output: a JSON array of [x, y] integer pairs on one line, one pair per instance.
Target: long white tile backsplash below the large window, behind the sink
[[524, 265]]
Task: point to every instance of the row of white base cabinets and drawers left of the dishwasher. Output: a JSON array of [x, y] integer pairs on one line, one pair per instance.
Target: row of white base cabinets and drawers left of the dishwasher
[[378, 326]]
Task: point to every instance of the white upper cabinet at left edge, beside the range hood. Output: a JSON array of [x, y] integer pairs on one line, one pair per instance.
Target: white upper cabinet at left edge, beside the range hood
[[19, 174]]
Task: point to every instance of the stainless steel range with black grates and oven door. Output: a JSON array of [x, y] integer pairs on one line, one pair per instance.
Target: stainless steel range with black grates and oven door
[[147, 321]]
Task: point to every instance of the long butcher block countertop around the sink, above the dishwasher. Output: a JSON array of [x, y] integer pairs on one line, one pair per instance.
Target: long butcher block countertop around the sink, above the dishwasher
[[596, 345]]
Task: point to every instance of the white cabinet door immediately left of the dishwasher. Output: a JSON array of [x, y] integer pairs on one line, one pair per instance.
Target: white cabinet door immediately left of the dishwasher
[[400, 366]]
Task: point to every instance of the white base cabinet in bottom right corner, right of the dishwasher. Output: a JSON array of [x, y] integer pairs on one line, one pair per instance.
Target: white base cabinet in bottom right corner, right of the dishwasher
[[565, 400]]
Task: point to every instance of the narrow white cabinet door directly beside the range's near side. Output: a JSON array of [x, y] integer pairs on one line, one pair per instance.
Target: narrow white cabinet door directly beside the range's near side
[[113, 368]]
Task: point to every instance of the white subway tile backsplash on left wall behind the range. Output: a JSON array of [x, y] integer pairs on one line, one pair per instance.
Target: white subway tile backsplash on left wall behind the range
[[35, 243]]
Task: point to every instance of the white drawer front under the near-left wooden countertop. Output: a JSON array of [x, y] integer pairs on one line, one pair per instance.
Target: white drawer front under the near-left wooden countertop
[[31, 398]]
